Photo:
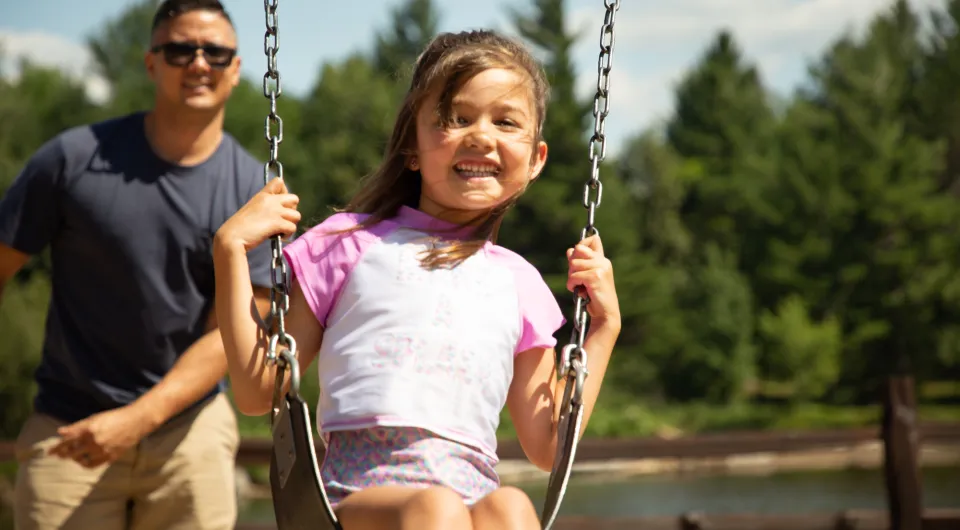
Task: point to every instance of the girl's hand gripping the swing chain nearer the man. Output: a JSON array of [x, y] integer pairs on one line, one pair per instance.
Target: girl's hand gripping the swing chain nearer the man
[[272, 211]]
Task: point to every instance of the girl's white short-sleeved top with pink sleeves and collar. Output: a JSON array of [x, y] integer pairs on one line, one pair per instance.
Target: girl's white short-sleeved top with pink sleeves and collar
[[406, 346]]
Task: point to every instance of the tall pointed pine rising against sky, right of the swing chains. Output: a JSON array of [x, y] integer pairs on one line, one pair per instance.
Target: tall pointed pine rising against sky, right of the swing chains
[[721, 130]]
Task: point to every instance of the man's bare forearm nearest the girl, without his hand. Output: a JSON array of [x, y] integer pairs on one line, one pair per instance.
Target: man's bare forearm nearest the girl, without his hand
[[193, 375]]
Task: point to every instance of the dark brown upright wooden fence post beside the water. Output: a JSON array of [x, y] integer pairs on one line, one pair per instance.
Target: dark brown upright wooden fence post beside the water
[[901, 455]]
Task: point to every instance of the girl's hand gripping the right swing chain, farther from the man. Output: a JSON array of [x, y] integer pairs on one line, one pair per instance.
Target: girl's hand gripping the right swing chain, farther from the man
[[590, 268]]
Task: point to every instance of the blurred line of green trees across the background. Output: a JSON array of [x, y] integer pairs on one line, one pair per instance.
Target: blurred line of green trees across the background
[[767, 250]]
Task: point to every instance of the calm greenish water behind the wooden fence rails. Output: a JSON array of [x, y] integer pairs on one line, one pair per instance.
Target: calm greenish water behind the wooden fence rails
[[670, 495]]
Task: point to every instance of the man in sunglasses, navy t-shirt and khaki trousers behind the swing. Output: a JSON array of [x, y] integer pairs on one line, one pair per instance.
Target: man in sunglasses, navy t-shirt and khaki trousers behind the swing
[[131, 429]]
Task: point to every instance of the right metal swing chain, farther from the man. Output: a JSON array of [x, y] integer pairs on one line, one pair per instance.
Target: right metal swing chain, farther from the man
[[573, 357]]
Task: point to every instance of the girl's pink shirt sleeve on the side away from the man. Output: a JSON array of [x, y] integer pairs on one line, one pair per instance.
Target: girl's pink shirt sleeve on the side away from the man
[[540, 315]]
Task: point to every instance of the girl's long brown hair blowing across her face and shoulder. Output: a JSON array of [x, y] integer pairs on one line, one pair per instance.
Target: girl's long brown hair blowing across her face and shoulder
[[448, 62]]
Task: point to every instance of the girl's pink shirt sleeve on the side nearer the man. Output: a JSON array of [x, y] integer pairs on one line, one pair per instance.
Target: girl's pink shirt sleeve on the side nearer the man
[[321, 260]]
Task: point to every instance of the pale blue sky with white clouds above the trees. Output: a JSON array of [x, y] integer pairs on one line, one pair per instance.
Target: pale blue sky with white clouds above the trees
[[657, 41]]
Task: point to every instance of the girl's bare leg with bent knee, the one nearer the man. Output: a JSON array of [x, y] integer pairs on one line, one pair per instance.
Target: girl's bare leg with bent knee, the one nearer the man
[[400, 508]]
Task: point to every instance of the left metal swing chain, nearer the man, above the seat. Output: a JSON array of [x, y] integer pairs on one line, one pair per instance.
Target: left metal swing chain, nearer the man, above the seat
[[280, 340]]
